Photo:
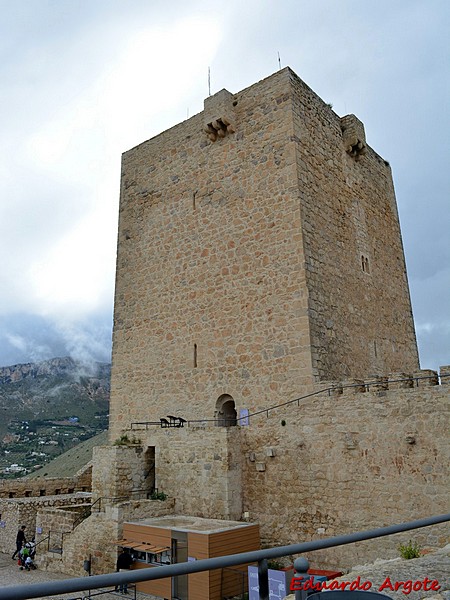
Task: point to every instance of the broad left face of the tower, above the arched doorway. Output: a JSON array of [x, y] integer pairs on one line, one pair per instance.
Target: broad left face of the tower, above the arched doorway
[[210, 288]]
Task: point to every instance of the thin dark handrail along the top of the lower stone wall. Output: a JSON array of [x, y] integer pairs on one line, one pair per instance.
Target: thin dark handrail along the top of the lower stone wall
[[332, 389]]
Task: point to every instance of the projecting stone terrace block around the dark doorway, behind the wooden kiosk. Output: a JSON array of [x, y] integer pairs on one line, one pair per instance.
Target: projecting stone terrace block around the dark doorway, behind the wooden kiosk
[[199, 467]]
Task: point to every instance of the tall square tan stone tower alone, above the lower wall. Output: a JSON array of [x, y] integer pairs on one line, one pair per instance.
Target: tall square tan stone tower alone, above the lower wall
[[259, 252]]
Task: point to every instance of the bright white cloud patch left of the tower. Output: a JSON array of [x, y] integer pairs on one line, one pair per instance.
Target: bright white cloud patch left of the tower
[[77, 148]]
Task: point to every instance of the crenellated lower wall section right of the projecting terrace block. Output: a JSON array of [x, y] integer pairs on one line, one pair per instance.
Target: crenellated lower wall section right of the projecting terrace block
[[350, 461]]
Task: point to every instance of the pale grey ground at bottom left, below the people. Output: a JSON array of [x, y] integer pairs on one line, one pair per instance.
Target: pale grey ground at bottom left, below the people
[[10, 574]]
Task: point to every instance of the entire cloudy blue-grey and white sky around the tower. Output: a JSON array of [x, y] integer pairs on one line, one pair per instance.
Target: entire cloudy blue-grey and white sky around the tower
[[81, 81]]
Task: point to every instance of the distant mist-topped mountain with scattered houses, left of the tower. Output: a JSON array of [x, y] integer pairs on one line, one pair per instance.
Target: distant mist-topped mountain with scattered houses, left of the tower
[[47, 408]]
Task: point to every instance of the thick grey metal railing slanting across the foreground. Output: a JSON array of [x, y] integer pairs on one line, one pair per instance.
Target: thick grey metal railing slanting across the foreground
[[24, 592]]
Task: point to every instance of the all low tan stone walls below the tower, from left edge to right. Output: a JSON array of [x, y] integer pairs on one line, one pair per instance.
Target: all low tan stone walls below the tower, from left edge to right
[[350, 455]]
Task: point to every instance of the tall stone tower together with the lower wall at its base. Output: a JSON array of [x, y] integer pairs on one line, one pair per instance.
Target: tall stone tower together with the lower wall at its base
[[261, 295]]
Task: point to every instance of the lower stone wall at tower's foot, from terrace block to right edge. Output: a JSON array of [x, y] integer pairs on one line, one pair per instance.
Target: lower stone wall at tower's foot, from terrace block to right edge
[[349, 456]]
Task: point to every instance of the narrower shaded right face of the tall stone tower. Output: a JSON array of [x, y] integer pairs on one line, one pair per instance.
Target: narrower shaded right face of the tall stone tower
[[359, 306]]
